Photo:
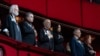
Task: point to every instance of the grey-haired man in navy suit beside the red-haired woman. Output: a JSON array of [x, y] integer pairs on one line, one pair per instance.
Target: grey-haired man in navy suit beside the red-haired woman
[[76, 46]]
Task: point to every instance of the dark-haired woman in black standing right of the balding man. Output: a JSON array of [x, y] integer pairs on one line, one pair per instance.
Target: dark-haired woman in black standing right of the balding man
[[58, 40]]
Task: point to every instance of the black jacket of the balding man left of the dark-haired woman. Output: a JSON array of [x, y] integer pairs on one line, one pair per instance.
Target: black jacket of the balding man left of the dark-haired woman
[[44, 41]]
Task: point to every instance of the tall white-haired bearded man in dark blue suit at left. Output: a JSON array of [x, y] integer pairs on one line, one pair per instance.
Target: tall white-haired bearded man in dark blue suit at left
[[11, 25]]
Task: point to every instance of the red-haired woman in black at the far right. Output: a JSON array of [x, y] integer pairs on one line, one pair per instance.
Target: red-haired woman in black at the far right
[[87, 45]]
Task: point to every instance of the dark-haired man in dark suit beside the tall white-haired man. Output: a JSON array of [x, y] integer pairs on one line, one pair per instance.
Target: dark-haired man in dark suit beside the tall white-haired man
[[29, 33]]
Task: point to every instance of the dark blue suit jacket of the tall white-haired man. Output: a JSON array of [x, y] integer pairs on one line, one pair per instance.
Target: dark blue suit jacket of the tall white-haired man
[[12, 27]]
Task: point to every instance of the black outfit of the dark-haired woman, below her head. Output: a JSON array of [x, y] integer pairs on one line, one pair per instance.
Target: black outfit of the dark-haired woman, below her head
[[58, 43]]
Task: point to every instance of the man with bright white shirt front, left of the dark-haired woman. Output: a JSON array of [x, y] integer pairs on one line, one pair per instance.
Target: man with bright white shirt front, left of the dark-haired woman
[[46, 36]]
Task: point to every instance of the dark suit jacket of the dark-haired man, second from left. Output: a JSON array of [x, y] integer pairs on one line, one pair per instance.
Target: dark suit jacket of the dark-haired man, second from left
[[28, 34]]
